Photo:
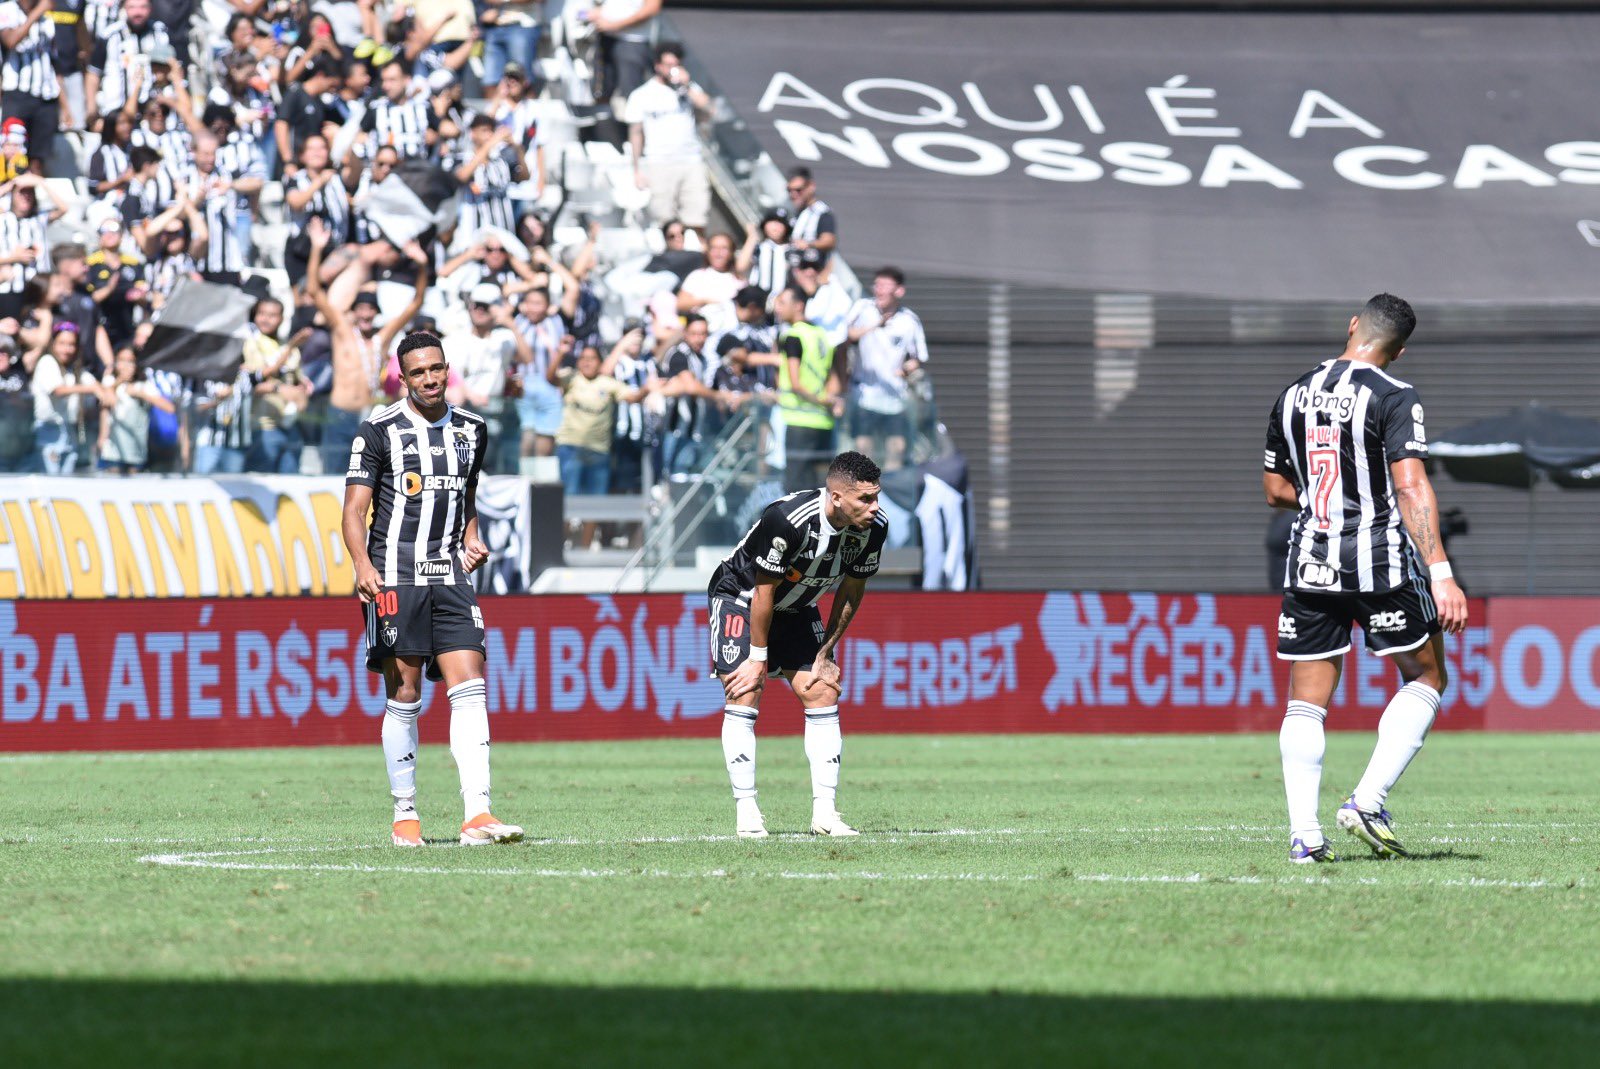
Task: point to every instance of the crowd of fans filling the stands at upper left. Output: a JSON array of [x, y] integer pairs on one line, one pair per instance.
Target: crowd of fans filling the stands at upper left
[[362, 170]]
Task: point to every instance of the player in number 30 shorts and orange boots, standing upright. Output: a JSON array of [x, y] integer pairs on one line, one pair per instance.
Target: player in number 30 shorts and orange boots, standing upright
[[420, 462]]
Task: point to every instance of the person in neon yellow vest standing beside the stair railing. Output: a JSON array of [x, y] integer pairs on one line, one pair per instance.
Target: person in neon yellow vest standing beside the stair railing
[[809, 394]]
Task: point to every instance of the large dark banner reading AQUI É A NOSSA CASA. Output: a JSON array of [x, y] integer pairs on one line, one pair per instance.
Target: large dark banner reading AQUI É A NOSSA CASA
[[1241, 156]]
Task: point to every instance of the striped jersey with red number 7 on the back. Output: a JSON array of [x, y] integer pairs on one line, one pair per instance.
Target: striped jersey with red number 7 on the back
[[1334, 434]]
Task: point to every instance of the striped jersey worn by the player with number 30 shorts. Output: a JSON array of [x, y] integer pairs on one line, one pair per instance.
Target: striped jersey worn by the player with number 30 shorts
[[423, 476]]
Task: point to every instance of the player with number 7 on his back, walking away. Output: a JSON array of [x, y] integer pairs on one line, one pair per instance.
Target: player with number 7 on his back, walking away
[[1346, 449]]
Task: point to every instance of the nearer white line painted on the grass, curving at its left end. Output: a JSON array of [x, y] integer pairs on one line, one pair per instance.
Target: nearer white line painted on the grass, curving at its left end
[[220, 860]]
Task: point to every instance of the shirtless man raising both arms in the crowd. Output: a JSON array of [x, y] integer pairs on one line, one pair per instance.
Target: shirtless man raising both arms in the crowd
[[359, 350]]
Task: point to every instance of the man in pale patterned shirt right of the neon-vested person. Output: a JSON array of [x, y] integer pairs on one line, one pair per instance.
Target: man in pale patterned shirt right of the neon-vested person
[[890, 350]]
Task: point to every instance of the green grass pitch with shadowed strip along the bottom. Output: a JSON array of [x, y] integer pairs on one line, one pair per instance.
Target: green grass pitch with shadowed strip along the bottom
[[1074, 899]]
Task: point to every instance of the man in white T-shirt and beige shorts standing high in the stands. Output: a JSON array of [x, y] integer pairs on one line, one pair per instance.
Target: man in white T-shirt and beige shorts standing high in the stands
[[662, 118]]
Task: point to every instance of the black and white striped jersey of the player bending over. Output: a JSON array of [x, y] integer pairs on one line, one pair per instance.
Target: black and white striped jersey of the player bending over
[[796, 542]]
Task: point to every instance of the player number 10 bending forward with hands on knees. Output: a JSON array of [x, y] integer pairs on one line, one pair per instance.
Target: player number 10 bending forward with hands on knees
[[764, 622]]
